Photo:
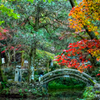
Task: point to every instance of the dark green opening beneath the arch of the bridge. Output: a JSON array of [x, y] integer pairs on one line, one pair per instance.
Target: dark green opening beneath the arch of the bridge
[[65, 83]]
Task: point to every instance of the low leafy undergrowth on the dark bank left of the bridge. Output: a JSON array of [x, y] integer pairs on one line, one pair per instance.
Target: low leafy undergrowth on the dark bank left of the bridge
[[19, 90]]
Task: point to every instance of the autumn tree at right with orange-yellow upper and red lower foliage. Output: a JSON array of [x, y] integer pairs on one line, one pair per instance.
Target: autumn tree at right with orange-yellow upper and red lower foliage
[[83, 19]]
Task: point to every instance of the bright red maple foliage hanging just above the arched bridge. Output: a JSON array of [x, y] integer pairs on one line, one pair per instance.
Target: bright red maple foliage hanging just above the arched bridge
[[76, 54]]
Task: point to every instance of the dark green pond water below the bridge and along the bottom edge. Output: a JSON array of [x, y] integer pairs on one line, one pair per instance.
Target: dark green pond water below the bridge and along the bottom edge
[[68, 94]]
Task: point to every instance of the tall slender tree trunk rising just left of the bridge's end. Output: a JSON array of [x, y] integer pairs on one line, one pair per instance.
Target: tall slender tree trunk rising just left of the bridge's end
[[34, 43]]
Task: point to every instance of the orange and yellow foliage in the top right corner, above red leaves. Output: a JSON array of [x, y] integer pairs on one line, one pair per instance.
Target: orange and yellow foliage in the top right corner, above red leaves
[[83, 14]]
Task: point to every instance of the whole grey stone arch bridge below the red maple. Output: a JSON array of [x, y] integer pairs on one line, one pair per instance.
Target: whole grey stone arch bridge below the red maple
[[70, 73]]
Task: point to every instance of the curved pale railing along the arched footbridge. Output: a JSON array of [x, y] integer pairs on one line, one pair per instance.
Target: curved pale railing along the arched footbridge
[[61, 72]]
